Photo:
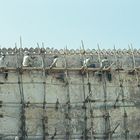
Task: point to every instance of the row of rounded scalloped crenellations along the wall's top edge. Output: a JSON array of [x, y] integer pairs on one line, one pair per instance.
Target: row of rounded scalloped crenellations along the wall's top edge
[[70, 51]]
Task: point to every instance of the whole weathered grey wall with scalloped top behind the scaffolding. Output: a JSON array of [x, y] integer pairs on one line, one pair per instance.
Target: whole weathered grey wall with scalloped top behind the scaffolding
[[35, 103]]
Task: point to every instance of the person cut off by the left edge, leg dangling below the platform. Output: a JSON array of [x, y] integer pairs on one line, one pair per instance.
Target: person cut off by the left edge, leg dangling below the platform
[[3, 65]]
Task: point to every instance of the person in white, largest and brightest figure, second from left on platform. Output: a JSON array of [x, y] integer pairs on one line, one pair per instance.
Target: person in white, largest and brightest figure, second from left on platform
[[27, 60]]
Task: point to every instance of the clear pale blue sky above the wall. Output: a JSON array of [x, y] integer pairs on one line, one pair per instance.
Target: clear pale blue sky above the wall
[[60, 23]]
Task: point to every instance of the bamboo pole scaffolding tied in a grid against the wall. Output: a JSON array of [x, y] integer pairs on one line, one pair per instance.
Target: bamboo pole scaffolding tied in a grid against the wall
[[70, 106]]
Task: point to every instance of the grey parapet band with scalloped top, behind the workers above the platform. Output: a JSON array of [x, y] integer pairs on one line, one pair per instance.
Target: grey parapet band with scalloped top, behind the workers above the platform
[[126, 58]]
